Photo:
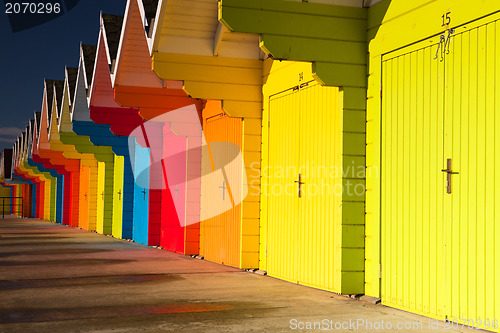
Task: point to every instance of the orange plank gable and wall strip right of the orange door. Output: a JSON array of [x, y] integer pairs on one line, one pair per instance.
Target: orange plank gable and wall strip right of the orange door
[[190, 45]]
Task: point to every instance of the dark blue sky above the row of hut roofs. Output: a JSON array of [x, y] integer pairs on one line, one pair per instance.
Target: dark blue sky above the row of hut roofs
[[29, 56]]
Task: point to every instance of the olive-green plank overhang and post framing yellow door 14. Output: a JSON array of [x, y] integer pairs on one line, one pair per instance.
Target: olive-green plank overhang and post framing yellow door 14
[[333, 39]]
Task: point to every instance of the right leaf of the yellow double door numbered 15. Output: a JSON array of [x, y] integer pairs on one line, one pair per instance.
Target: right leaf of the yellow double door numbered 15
[[472, 143]]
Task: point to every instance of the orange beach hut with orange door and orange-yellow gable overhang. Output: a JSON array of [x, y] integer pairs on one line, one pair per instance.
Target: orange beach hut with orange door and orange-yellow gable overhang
[[218, 65]]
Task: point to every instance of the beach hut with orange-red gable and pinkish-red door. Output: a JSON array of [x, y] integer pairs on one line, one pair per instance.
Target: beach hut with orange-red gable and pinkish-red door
[[174, 201]]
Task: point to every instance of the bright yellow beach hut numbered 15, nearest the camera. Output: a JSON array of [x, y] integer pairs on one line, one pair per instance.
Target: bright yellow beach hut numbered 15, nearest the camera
[[431, 124]]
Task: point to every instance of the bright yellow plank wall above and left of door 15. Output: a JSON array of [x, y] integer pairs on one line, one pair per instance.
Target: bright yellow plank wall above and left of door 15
[[393, 25]]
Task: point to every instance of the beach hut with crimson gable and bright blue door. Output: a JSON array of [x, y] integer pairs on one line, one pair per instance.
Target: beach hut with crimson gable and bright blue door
[[122, 121]]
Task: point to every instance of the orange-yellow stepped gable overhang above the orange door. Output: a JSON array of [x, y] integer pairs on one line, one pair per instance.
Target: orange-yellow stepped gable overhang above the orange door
[[213, 62]]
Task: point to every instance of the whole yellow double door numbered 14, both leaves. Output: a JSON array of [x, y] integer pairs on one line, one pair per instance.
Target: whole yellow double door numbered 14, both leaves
[[301, 241]]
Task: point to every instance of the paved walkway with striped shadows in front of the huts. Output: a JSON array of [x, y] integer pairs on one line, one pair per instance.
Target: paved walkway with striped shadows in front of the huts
[[60, 279]]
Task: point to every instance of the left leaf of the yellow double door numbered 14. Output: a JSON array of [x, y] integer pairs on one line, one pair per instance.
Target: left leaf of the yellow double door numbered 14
[[282, 172]]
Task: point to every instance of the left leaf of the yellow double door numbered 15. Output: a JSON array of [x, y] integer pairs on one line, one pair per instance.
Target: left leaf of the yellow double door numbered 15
[[412, 182]]
